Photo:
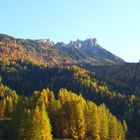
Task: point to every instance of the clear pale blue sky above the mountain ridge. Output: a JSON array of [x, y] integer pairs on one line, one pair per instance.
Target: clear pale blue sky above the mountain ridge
[[115, 23]]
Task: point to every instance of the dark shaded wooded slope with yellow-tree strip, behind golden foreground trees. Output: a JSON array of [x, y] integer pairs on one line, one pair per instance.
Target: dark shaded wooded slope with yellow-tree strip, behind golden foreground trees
[[26, 78]]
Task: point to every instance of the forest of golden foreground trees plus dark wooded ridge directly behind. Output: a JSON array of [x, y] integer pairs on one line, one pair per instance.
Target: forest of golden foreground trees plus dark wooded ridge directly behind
[[63, 103]]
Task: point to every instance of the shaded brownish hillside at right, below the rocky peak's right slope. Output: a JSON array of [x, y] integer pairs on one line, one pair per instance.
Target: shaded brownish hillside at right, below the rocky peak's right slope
[[121, 78]]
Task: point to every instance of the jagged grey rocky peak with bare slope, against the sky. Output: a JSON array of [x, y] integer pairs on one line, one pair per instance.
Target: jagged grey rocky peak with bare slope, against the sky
[[88, 51]]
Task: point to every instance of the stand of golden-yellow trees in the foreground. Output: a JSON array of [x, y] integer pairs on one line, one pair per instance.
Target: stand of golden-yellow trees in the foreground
[[42, 117]]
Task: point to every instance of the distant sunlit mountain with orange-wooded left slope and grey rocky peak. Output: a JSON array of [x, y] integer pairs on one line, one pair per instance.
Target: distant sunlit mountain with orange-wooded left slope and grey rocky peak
[[46, 52]]
